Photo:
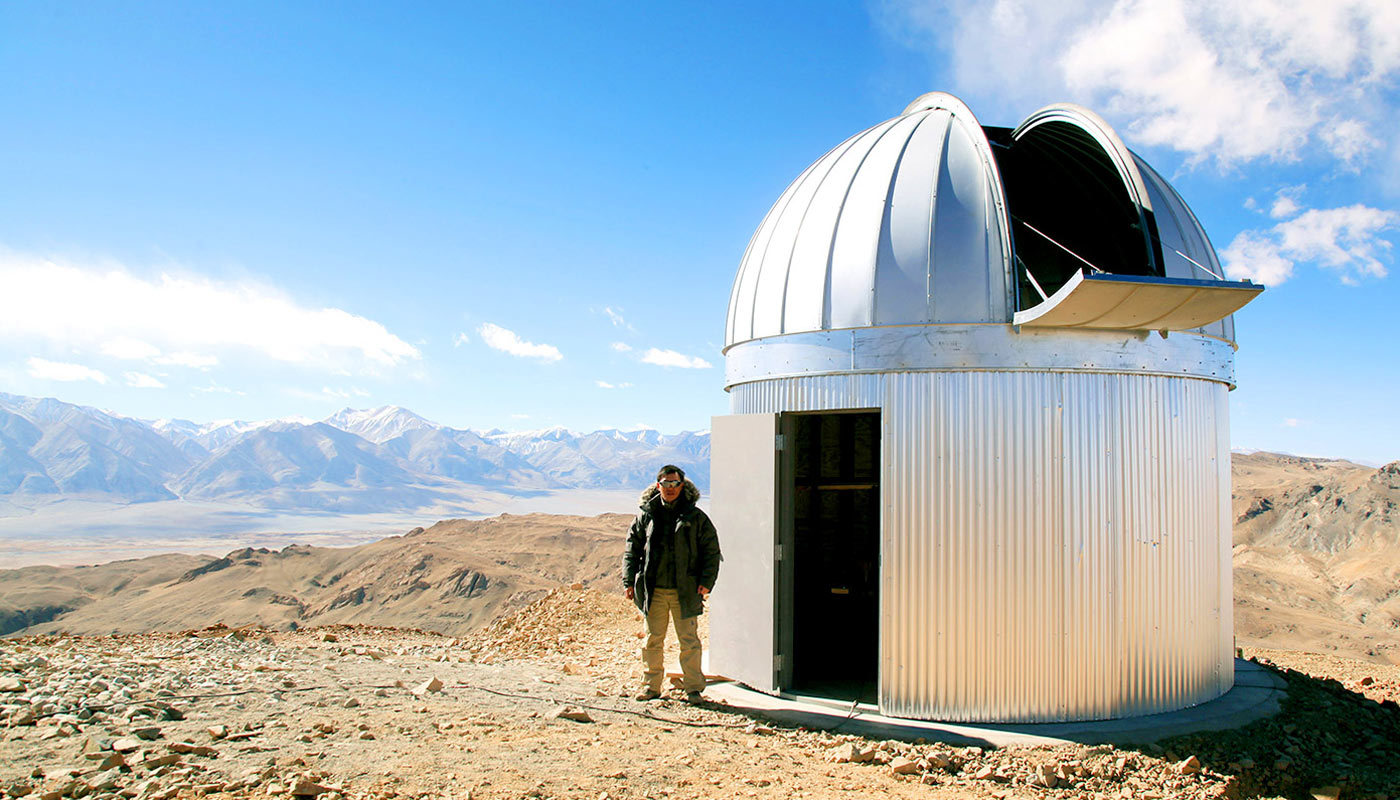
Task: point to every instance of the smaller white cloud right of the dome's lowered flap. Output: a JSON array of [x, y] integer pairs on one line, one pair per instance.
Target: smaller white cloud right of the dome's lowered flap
[[1349, 240]]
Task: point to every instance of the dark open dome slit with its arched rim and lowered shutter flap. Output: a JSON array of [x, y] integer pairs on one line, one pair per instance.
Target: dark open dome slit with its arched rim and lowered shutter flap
[[1088, 236]]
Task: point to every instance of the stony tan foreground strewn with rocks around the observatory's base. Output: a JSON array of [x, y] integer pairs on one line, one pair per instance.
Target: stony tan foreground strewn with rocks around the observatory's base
[[538, 705]]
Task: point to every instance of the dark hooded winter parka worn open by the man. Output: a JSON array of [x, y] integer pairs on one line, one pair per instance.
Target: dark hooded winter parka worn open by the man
[[696, 551]]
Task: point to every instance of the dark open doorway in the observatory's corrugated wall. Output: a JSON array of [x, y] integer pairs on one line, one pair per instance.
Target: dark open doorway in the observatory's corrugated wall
[[834, 578]]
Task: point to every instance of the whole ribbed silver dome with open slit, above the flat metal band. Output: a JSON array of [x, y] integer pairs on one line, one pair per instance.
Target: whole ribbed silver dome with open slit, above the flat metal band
[[932, 219]]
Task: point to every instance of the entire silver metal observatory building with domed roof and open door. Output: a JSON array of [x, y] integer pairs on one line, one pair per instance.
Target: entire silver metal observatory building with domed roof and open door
[[978, 463]]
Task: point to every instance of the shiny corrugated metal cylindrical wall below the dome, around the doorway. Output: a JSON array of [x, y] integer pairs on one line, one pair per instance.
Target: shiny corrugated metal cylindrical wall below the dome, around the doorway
[[1056, 546]]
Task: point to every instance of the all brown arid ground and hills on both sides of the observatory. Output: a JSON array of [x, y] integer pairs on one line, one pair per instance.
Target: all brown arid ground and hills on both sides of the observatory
[[498, 659]]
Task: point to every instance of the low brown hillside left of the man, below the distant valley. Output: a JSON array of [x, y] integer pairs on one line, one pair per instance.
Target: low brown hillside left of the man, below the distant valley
[[451, 578]]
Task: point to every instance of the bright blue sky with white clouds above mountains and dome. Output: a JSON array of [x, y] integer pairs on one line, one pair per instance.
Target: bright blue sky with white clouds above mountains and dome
[[530, 215]]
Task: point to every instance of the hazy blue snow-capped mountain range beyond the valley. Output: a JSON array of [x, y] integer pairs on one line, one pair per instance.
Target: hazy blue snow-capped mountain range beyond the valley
[[380, 459]]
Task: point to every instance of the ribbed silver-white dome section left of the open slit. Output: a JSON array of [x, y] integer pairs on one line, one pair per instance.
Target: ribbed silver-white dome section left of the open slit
[[852, 243]]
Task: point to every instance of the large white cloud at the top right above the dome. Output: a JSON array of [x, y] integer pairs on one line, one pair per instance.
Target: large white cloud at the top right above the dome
[[1233, 82]]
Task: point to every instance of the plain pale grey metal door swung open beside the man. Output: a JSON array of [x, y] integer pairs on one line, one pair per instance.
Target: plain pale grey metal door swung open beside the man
[[744, 508]]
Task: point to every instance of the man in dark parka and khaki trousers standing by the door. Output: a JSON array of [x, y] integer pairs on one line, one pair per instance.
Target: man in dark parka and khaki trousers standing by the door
[[668, 571]]
